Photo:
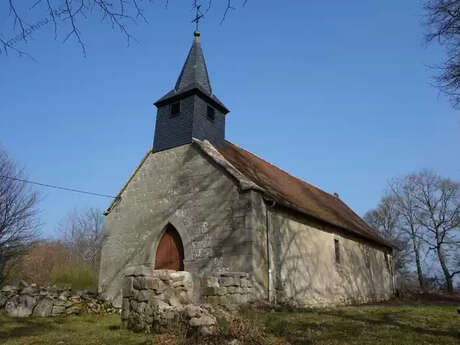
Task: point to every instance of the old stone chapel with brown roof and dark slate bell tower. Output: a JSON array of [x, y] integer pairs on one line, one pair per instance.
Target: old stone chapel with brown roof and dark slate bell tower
[[199, 203]]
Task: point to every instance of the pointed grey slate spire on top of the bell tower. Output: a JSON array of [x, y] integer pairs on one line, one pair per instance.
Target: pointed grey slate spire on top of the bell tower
[[194, 73]]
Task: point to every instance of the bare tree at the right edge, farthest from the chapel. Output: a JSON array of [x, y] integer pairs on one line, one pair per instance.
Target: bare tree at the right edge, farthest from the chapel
[[438, 212]]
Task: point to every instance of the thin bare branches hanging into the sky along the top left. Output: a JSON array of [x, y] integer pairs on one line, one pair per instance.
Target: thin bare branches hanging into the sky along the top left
[[28, 17]]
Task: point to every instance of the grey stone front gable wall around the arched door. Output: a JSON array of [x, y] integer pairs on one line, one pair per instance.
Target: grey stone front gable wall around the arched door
[[181, 187]]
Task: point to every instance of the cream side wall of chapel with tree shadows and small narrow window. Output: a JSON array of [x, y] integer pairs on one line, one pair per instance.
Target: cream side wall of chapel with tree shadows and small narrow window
[[305, 271]]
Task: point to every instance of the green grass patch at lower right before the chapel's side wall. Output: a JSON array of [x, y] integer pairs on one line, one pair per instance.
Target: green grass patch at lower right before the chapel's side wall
[[373, 325]]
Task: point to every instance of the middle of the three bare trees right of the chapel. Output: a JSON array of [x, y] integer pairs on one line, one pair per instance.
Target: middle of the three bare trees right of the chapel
[[404, 193]]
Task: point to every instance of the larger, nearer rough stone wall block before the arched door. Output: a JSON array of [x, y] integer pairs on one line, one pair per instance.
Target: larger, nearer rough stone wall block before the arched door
[[154, 300]]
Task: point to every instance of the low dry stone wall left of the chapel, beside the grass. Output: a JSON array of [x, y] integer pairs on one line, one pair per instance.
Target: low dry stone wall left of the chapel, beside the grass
[[31, 300]]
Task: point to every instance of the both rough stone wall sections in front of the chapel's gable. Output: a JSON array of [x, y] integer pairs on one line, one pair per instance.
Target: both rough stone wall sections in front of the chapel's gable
[[154, 300]]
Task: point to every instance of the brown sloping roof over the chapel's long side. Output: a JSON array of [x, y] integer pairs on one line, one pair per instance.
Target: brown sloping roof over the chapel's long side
[[297, 194]]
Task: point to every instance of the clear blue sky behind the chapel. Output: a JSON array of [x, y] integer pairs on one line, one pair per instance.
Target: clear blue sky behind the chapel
[[337, 93]]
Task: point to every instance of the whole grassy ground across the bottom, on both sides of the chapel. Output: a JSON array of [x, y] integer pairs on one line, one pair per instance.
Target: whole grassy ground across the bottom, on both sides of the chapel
[[422, 320]]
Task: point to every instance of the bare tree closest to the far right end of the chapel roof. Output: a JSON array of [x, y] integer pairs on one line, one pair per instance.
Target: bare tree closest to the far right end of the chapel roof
[[386, 219]]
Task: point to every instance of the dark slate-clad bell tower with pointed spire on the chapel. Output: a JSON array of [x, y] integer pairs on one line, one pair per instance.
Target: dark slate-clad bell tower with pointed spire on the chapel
[[190, 110]]
